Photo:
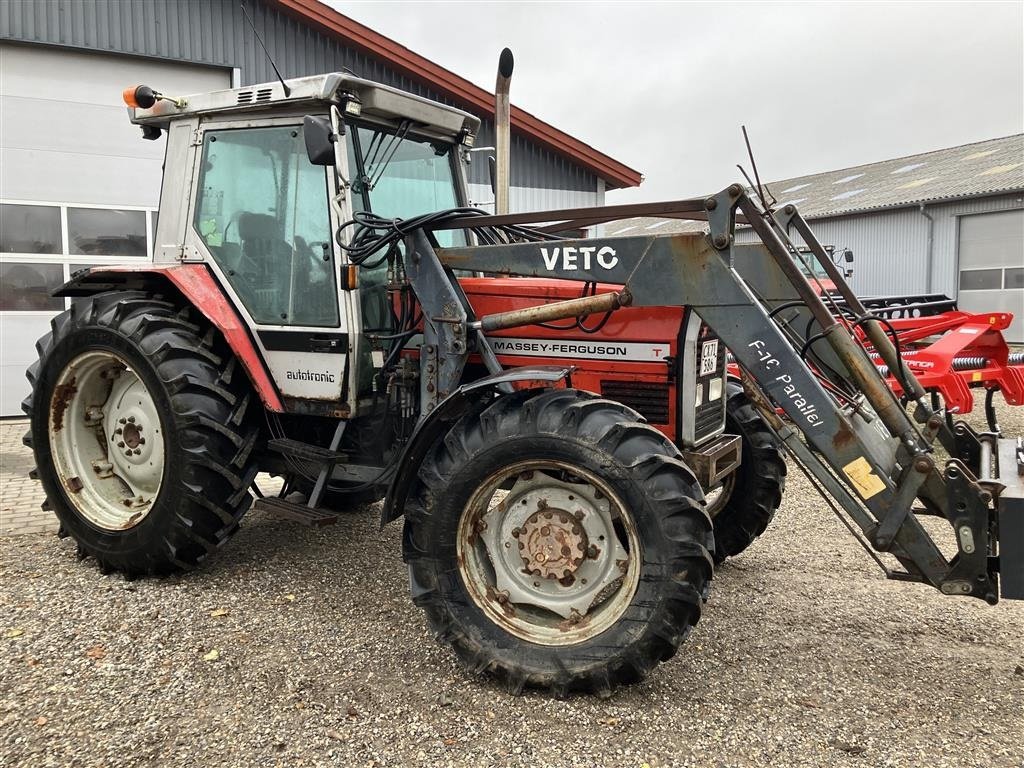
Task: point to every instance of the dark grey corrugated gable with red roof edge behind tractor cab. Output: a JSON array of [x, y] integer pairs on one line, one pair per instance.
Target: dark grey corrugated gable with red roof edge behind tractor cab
[[305, 37]]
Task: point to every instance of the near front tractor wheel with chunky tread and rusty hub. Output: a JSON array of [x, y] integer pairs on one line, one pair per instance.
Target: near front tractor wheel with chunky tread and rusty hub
[[593, 567]]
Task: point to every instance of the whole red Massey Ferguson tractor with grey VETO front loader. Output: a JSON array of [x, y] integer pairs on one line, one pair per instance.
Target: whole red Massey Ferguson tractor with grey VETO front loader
[[552, 418]]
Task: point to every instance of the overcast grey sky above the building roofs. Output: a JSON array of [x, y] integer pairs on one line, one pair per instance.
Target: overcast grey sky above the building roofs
[[664, 88]]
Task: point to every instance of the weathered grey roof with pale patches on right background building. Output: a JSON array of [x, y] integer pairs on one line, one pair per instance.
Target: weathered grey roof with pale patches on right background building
[[968, 172]]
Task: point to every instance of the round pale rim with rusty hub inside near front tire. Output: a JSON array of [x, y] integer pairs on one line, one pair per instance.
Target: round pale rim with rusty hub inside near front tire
[[549, 552]]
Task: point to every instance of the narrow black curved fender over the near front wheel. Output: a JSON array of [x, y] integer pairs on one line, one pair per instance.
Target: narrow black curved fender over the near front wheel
[[437, 424]]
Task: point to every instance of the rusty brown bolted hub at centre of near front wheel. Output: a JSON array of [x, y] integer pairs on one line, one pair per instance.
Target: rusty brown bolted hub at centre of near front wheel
[[552, 543]]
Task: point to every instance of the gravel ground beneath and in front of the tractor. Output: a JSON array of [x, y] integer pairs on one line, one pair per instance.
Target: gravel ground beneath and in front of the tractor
[[302, 648]]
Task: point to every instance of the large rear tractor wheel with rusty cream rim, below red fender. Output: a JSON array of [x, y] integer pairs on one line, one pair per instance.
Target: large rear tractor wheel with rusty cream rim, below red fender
[[143, 433]]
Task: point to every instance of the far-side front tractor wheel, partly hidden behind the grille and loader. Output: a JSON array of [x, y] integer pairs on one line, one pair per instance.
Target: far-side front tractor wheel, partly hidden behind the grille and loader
[[747, 502]]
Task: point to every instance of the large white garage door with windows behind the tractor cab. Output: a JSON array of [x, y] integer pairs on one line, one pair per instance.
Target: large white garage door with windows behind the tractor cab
[[78, 184]]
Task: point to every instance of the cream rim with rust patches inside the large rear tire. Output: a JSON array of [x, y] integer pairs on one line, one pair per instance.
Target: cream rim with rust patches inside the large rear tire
[[107, 441]]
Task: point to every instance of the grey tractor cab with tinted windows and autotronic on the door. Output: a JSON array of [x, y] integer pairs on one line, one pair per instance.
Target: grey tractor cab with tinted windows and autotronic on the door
[[272, 173]]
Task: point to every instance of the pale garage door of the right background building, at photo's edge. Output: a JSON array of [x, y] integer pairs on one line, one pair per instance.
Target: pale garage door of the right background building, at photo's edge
[[992, 267]]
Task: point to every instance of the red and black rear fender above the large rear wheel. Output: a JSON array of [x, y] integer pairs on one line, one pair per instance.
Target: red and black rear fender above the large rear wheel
[[198, 287]]
